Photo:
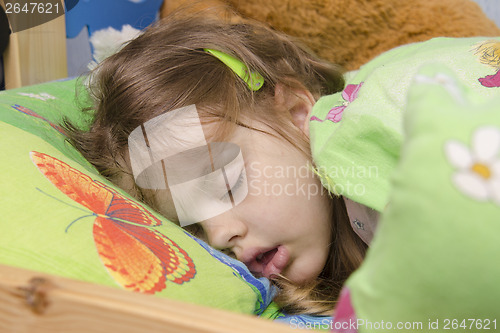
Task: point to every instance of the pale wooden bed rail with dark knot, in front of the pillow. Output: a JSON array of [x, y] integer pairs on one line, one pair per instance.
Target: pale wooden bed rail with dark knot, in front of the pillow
[[42, 303]]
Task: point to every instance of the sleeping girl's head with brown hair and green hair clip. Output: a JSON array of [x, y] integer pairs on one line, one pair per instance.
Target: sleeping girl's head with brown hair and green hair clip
[[182, 101]]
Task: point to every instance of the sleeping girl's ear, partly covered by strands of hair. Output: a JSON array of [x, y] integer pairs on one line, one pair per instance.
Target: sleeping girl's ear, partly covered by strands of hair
[[298, 102]]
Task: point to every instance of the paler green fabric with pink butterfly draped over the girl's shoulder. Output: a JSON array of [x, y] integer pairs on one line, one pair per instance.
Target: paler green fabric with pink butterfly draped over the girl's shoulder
[[356, 134]]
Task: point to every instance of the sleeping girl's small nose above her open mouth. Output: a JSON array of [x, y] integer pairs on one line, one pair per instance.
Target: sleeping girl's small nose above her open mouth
[[224, 231]]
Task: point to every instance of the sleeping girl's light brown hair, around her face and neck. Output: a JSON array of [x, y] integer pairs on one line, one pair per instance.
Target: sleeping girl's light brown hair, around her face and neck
[[165, 68]]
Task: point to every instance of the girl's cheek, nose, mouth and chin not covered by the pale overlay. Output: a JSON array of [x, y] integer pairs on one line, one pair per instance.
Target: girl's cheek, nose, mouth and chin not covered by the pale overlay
[[283, 225]]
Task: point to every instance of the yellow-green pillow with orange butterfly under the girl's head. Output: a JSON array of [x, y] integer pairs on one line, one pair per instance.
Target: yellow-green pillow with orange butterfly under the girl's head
[[59, 216]]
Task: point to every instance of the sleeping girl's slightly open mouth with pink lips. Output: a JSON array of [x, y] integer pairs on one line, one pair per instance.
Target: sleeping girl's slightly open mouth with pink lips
[[268, 263]]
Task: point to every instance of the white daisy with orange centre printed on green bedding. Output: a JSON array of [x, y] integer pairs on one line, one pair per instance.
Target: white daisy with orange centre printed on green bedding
[[478, 166]]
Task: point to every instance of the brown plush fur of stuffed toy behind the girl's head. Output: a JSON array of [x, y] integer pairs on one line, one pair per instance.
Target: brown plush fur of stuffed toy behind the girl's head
[[352, 32]]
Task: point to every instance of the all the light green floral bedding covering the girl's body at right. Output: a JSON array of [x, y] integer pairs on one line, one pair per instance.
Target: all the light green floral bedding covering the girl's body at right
[[428, 116]]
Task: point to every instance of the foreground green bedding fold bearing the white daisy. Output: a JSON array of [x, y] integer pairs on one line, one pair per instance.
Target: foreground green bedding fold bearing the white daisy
[[433, 262]]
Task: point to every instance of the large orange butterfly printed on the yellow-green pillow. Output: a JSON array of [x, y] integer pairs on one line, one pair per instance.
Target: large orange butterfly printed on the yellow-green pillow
[[136, 255]]
